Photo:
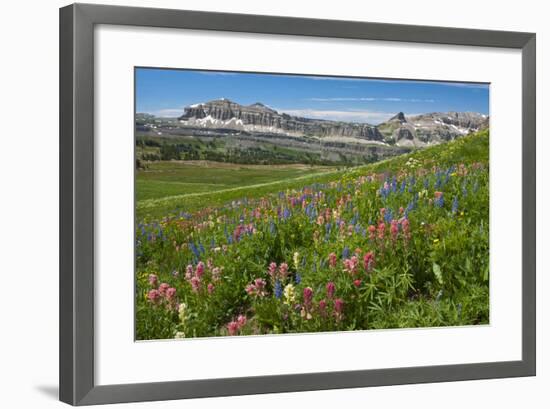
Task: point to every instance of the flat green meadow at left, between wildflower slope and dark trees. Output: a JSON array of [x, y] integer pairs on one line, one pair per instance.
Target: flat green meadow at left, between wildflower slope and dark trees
[[172, 187]]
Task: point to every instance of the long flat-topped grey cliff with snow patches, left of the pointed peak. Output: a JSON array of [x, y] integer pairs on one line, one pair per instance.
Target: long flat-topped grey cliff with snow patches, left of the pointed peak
[[260, 118]]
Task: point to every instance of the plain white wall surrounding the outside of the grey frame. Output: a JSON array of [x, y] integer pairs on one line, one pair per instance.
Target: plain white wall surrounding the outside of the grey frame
[[29, 180]]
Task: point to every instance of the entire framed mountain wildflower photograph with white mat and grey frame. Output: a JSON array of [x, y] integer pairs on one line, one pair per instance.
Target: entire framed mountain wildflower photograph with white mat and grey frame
[[260, 204]]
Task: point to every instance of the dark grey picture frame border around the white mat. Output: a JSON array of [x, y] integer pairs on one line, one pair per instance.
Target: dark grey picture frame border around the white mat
[[76, 331]]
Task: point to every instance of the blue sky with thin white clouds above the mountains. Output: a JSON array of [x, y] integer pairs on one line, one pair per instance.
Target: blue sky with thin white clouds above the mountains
[[164, 92]]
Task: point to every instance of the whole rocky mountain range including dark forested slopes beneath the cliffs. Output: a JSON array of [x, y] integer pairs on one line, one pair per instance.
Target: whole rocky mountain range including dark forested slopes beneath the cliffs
[[223, 130]]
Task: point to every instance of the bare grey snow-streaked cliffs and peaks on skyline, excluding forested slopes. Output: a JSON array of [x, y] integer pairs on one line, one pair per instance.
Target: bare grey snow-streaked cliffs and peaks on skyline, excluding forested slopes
[[416, 131]]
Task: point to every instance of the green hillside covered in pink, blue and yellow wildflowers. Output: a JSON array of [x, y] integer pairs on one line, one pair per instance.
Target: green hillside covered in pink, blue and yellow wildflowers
[[397, 244]]
